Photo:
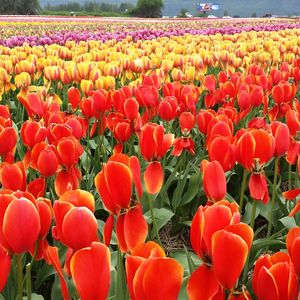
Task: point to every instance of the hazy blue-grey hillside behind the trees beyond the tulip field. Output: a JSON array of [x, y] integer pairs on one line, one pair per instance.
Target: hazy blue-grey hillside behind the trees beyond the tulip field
[[243, 8]]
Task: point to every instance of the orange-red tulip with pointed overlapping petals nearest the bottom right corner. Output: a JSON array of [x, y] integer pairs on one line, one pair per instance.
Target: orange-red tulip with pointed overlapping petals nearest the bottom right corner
[[274, 277]]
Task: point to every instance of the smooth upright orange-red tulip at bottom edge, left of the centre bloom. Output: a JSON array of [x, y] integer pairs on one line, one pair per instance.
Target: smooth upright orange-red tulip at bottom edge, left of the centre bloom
[[94, 260]]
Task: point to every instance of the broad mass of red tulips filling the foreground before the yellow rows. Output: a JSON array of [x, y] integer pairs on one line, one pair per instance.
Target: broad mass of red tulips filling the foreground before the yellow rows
[[118, 145]]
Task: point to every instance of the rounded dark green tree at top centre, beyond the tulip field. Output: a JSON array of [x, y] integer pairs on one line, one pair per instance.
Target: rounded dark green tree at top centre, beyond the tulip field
[[149, 8]]
